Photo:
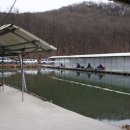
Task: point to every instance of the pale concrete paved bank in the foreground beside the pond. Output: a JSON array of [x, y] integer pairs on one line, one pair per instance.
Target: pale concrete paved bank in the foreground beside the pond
[[36, 114]]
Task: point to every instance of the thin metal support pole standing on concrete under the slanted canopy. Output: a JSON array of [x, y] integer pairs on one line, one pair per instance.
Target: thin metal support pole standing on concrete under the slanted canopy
[[22, 76]]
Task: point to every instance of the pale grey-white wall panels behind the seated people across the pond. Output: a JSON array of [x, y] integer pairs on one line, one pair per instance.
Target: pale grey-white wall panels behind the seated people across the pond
[[110, 63]]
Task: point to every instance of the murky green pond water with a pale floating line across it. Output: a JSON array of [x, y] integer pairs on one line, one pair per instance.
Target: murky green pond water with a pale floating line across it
[[99, 96]]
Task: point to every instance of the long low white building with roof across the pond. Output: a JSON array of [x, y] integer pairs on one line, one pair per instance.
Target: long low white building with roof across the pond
[[116, 62]]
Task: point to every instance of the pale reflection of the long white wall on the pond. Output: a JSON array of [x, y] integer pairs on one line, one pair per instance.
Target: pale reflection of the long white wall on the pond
[[95, 78]]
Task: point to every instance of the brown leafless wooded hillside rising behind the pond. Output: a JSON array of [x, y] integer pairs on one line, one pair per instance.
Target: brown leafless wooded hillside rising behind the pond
[[86, 28]]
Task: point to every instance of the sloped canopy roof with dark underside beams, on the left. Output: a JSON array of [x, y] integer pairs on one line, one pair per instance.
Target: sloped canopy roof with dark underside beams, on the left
[[15, 40]]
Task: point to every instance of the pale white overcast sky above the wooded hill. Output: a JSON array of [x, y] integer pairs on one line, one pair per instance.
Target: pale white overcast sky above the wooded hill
[[39, 5]]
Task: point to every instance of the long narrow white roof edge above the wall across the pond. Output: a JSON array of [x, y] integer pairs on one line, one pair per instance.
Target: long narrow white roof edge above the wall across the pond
[[92, 55]]
